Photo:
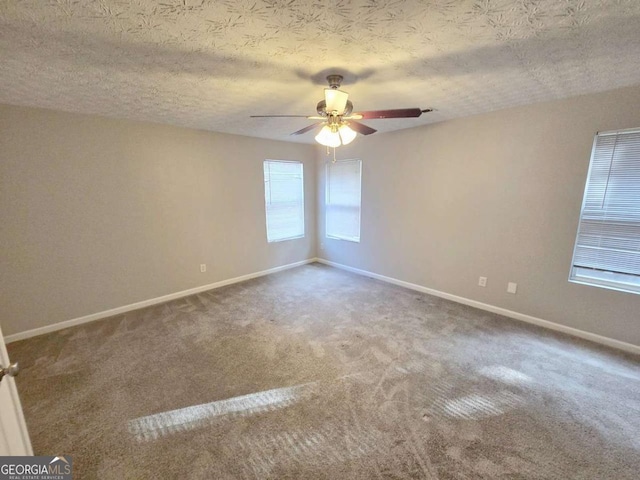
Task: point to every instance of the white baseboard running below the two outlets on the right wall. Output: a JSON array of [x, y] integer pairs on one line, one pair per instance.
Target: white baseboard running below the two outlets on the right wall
[[627, 347]]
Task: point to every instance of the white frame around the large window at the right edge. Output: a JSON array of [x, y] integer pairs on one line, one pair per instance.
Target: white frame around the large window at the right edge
[[606, 279]]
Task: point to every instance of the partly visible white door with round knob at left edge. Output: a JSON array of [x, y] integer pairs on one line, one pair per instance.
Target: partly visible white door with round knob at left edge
[[14, 438]]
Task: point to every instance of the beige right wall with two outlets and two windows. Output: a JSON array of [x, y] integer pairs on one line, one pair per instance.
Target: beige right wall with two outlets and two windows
[[495, 195]]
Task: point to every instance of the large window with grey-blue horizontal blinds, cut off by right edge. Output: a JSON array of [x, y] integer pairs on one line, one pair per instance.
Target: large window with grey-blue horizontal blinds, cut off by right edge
[[607, 251]]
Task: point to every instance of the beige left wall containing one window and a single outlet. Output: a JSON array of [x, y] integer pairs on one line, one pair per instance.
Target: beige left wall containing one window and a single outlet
[[98, 213]]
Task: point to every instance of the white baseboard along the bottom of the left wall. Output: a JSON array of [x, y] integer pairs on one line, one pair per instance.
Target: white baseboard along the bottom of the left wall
[[147, 303]]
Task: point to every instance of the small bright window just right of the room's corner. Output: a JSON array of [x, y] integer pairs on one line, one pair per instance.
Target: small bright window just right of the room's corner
[[343, 200]]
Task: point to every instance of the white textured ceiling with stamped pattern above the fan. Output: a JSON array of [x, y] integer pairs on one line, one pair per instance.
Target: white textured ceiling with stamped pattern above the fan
[[211, 64]]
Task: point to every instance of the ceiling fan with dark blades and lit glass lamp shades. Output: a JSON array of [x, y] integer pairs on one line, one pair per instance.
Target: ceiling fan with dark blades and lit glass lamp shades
[[335, 114]]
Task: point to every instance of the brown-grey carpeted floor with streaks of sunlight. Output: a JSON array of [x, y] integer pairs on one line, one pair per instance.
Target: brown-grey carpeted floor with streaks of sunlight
[[315, 373]]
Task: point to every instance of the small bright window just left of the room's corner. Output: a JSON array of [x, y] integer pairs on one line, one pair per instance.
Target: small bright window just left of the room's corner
[[284, 200]]
